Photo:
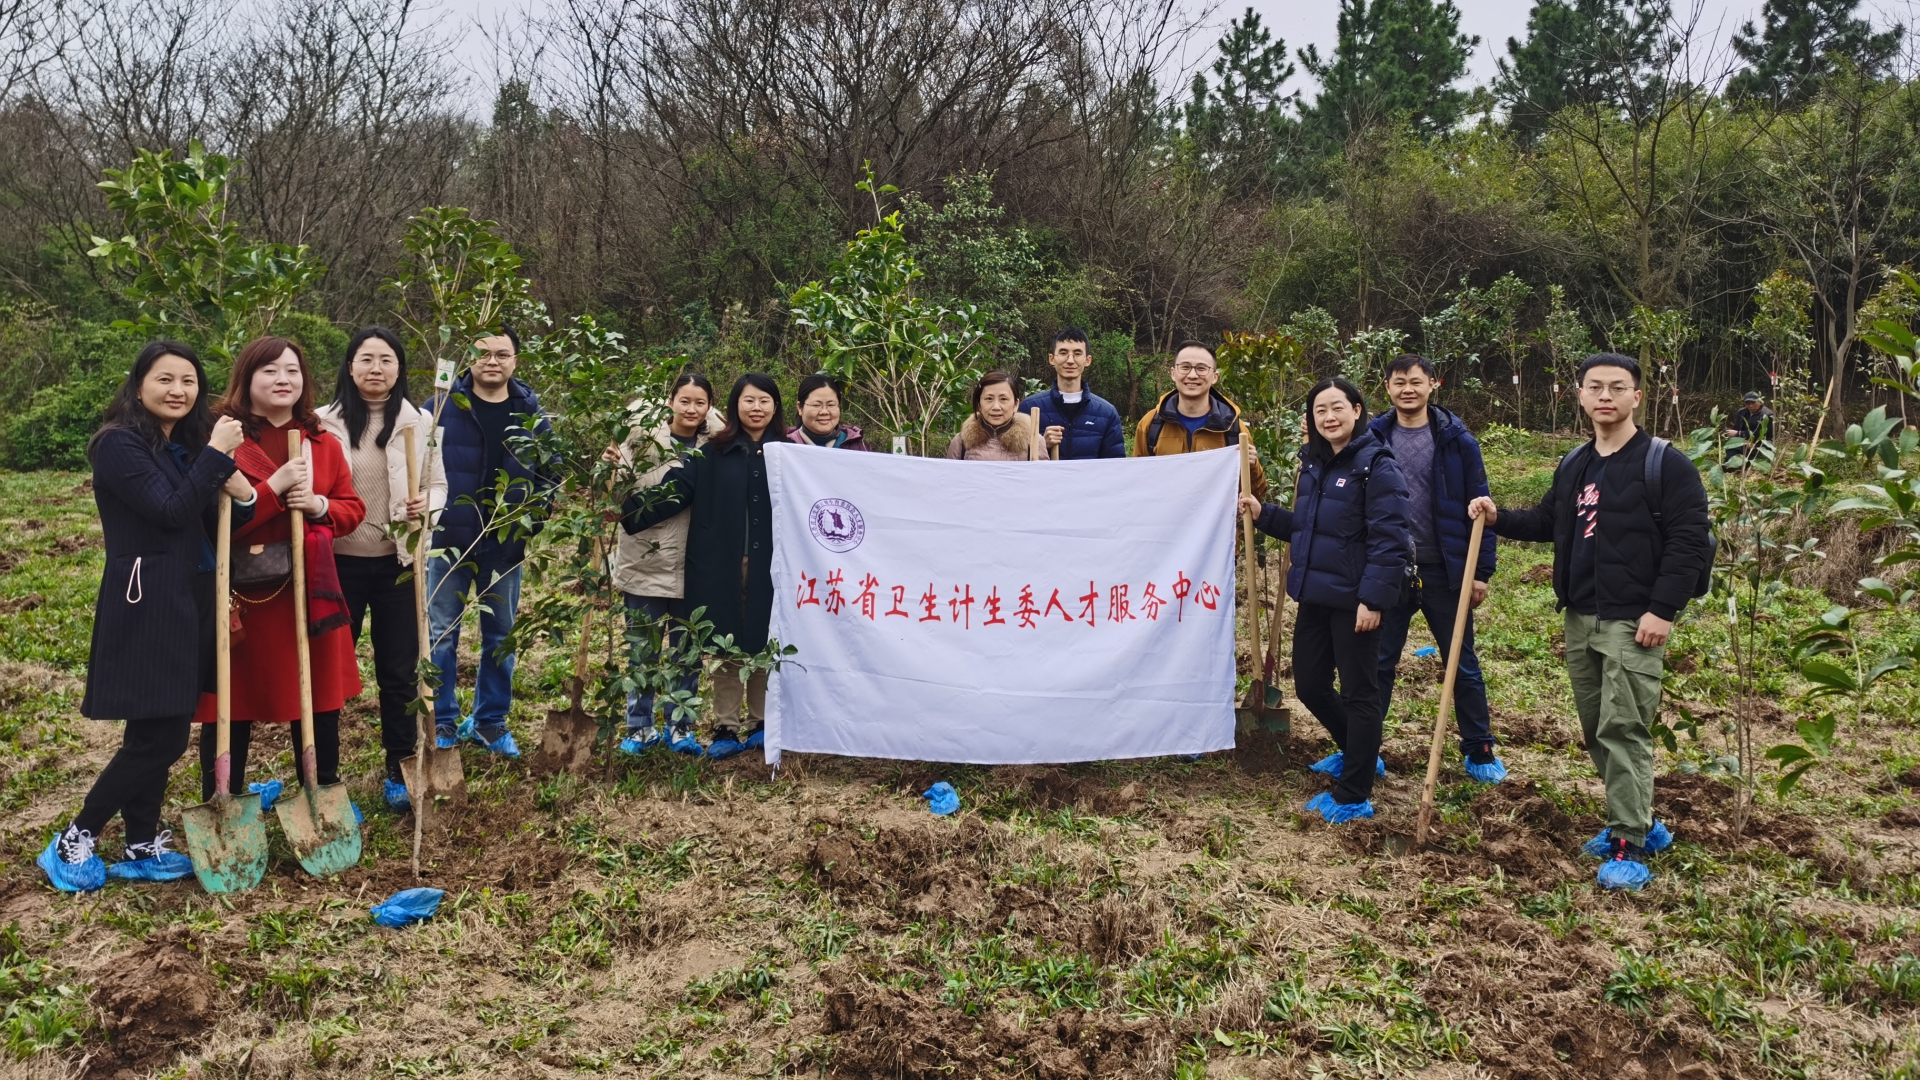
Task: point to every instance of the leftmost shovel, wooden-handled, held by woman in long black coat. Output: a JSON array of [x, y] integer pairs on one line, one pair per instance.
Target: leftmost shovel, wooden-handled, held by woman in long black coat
[[226, 835]]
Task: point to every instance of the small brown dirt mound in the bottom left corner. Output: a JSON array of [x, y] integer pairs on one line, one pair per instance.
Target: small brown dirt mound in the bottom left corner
[[153, 1002]]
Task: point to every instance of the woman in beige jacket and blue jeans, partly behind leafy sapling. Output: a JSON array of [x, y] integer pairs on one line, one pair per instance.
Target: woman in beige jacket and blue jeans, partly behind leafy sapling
[[650, 568]]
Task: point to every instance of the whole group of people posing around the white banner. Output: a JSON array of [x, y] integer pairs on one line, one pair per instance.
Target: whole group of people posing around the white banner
[[1380, 531]]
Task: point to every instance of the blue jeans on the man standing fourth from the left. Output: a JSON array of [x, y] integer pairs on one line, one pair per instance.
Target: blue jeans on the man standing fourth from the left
[[498, 583]]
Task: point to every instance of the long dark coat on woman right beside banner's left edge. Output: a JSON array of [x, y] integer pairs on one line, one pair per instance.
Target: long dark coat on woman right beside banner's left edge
[[732, 524]]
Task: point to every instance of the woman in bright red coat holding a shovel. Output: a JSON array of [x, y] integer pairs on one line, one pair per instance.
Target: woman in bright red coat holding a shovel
[[270, 393]]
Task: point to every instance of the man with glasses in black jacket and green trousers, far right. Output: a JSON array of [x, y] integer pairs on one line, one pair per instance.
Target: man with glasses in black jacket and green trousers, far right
[[1627, 516]]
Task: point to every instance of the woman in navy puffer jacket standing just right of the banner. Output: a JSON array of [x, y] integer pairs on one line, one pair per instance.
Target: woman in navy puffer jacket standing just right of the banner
[[1349, 533]]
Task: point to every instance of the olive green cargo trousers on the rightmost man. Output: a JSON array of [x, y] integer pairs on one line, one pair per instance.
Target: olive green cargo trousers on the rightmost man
[[1618, 691]]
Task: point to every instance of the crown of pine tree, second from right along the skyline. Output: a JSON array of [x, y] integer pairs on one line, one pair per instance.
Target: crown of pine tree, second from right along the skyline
[[1583, 53]]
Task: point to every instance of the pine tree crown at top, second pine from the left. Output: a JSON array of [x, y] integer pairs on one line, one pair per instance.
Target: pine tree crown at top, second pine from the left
[[1395, 59]]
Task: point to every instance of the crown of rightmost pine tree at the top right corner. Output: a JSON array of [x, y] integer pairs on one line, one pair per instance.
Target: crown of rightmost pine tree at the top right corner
[[1806, 41]]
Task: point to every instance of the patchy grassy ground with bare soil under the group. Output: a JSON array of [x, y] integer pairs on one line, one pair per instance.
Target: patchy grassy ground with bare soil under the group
[[1116, 920]]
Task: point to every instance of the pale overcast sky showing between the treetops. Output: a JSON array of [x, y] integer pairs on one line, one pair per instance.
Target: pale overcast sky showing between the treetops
[[1297, 22]]
